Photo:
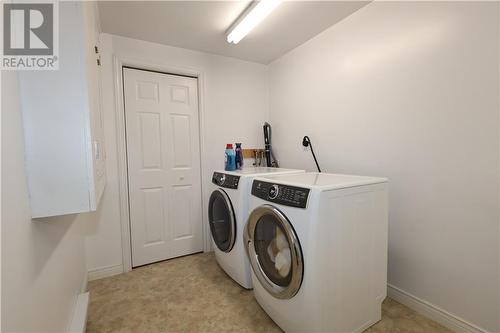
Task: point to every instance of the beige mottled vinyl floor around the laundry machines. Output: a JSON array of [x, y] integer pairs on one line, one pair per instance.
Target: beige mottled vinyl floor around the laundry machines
[[193, 294]]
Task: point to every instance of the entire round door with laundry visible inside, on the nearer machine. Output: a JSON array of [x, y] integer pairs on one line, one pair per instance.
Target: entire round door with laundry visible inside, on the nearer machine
[[274, 251]]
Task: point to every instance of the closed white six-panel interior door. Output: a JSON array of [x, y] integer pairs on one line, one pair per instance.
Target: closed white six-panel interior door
[[163, 152]]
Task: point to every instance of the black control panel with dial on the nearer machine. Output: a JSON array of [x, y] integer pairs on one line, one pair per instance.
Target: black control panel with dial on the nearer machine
[[281, 194]]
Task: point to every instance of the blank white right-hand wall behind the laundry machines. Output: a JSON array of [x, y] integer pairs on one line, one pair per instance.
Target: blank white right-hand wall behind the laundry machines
[[409, 91]]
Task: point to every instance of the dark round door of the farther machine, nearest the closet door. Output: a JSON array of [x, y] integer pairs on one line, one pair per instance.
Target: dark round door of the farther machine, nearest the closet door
[[222, 220]]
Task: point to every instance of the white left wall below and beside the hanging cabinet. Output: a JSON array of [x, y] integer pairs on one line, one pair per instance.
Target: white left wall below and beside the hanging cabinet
[[43, 261]]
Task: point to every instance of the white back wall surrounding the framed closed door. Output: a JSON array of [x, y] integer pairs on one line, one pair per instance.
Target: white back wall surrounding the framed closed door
[[235, 107]]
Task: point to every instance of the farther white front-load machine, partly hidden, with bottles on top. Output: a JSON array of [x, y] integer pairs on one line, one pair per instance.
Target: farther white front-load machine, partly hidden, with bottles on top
[[227, 215]]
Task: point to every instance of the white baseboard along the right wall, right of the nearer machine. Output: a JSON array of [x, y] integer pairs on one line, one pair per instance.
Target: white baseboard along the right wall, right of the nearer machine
[[432, 311]]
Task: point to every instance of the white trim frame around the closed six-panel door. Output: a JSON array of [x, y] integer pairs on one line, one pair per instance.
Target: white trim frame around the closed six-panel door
[[118, 63]]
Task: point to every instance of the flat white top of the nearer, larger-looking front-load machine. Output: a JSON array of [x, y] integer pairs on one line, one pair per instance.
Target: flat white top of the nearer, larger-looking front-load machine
[[323, 181]]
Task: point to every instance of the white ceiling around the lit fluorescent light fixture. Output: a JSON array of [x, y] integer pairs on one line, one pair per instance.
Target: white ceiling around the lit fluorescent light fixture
[[202, 25]]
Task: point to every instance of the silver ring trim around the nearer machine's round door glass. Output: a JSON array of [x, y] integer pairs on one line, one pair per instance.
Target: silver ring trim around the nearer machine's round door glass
[[295, 252]]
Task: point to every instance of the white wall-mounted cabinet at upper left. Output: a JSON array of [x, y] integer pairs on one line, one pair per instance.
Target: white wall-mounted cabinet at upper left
[[62, 120]]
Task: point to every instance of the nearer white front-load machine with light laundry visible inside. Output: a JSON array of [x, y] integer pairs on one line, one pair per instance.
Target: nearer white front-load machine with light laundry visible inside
[[317, 245]]
